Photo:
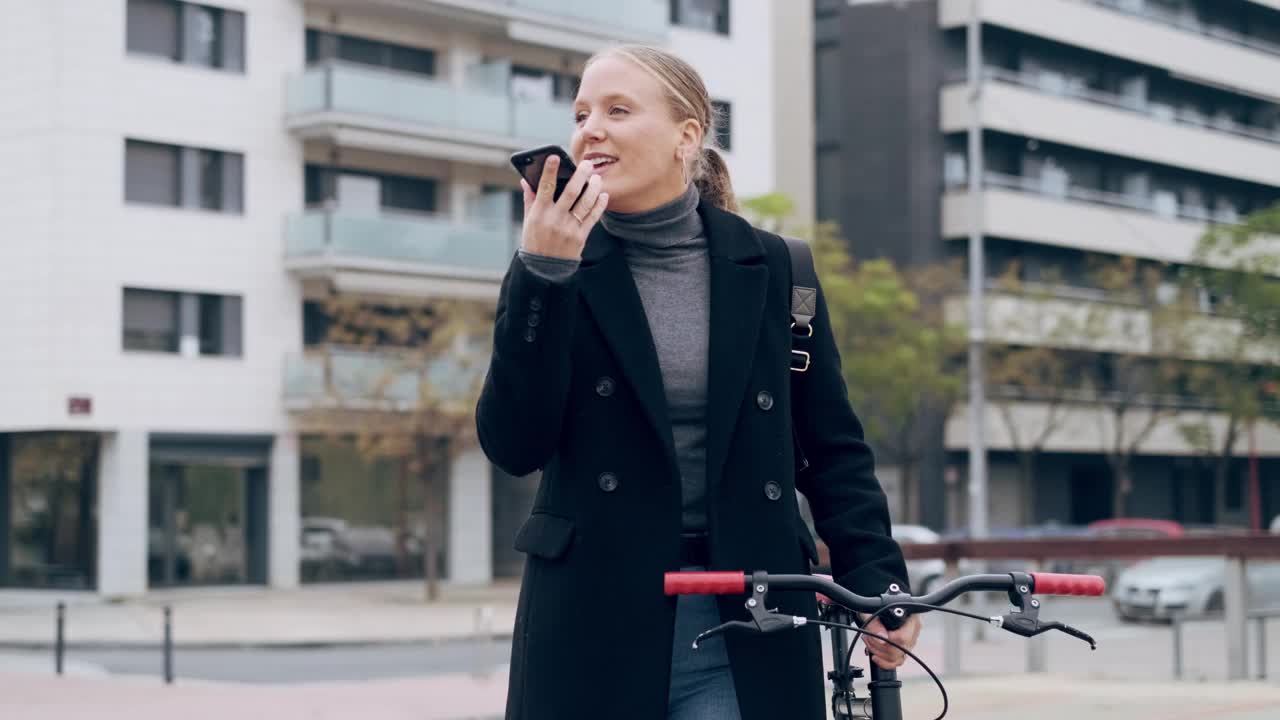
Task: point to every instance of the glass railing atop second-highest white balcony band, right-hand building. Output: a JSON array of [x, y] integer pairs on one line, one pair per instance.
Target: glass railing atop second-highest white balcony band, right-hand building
[[1062, 86]]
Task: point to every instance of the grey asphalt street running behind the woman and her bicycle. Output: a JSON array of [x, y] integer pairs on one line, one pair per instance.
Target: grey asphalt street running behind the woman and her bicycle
[[1126, 651]]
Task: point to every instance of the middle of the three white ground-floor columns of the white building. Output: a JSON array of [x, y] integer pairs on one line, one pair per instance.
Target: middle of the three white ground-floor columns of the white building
[[285, 513]]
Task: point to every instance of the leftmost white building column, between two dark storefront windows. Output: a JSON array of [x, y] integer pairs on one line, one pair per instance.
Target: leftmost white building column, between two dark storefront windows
[[122, 548]]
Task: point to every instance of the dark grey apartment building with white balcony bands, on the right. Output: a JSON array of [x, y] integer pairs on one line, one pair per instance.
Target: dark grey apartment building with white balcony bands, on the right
[[1112, 129]]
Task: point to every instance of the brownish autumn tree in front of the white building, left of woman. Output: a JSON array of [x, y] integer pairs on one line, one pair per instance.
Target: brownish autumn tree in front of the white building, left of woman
[[403, 382]]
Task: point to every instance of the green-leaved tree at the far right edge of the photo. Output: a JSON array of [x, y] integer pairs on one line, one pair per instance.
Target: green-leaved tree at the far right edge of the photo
[[1237, 268]]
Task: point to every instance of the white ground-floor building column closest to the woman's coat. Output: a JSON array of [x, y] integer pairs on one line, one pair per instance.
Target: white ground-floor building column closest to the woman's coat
[[470, 520]]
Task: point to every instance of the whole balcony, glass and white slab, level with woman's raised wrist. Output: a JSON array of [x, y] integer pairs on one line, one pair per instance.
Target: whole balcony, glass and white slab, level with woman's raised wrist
[[401, 253]]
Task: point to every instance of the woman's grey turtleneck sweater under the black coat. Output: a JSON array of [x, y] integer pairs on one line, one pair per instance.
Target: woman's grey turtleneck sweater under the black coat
[[668, 254]]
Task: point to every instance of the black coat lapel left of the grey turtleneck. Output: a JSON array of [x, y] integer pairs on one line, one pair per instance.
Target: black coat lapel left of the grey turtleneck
[[611, 293]]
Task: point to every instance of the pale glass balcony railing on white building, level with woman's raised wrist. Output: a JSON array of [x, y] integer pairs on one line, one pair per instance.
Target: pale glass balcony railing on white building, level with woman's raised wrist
[[476, 248]]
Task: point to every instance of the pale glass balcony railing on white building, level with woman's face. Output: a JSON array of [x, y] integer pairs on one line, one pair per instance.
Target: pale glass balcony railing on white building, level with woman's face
[[438, 107]]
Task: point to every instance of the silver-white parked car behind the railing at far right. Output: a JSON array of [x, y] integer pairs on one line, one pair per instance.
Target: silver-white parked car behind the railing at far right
[[1164, 587]]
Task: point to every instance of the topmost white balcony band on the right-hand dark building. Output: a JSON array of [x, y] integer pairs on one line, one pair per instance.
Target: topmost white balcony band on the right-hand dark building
[[1197, 53]]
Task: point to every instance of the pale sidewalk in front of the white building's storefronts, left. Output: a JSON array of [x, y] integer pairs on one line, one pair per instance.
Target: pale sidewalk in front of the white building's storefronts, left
[[316, 616]]
